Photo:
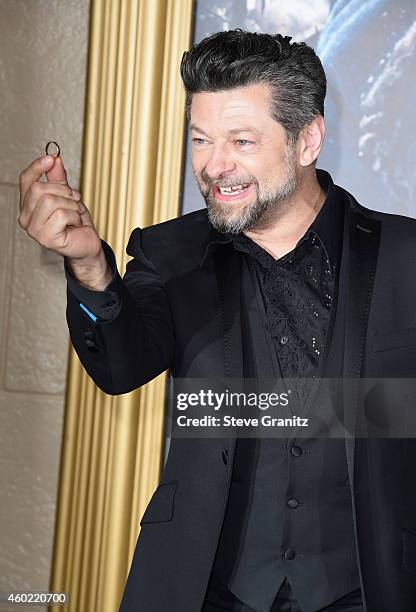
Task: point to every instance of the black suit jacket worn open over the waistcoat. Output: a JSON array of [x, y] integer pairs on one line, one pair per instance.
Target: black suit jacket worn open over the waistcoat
[[180, 309]]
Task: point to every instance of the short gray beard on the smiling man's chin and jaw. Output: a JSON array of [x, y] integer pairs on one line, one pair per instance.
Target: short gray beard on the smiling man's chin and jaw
[[258, 213]]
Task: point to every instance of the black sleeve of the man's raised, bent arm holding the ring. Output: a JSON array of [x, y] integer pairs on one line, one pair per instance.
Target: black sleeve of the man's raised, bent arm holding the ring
[[129, 340]]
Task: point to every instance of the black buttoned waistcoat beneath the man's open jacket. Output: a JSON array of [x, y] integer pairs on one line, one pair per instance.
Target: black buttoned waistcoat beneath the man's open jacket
[[289, 511]]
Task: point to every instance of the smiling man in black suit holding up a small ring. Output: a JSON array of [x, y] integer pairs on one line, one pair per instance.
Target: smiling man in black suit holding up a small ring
[[283, 274]]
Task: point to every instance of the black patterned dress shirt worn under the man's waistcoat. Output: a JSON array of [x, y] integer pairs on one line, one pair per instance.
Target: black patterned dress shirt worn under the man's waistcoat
[[298, 290]]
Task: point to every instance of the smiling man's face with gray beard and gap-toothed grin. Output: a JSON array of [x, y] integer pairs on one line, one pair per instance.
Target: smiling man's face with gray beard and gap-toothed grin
[[242, 162]]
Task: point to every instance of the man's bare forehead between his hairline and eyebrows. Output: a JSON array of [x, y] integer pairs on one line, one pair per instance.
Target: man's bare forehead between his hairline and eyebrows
[[250, 102]]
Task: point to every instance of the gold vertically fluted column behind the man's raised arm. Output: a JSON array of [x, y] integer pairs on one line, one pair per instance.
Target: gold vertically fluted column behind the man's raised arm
[[132, 164]]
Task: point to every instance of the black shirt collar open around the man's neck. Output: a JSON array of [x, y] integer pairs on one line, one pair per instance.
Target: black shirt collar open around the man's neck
[[326, 225]]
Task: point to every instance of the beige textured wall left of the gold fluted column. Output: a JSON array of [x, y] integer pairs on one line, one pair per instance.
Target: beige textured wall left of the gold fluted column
[[43, 55]]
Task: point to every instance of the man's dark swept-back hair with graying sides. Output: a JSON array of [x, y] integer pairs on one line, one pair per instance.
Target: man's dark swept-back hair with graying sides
[[293, 71]]
